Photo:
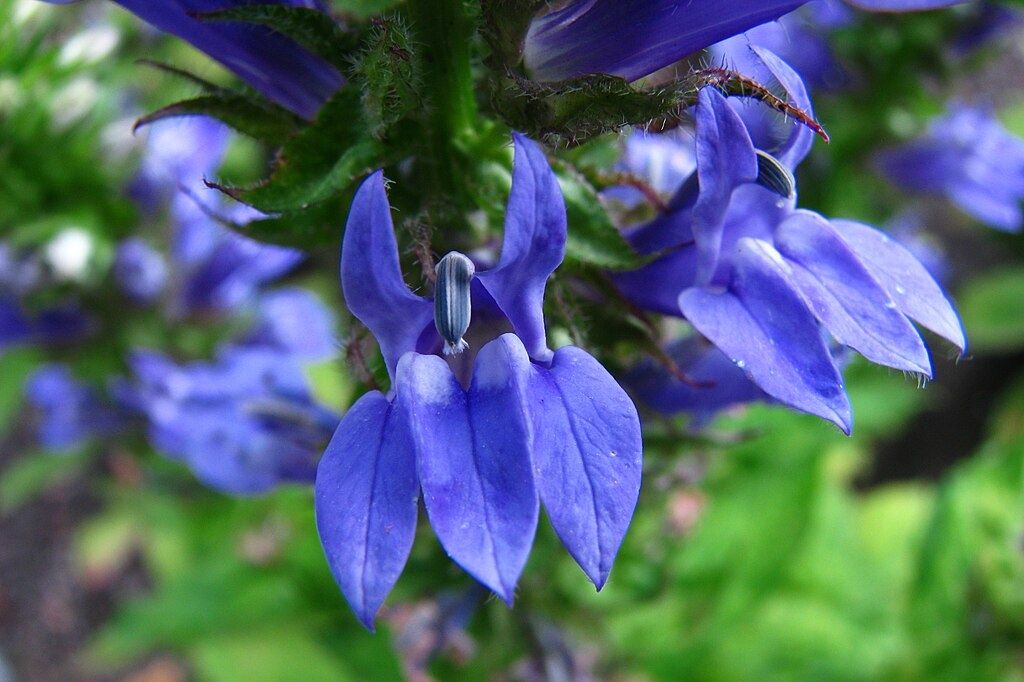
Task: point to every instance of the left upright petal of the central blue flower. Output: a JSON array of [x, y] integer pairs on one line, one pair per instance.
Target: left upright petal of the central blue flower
[[371, 276]]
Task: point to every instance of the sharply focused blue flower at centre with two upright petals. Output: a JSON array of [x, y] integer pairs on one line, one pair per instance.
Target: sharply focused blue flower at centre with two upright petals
[[487, 435]]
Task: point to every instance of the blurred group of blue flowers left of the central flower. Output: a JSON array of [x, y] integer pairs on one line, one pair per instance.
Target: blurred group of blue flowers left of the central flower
[[245, 422]]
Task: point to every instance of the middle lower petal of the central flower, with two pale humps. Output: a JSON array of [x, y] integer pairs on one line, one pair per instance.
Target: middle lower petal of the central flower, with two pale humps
[[474, 459]]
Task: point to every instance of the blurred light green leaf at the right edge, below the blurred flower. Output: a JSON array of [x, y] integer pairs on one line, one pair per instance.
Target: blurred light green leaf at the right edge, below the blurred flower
[[994, 313]]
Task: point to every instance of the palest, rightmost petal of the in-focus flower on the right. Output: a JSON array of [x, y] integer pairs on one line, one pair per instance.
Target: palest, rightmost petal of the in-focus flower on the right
[[916, 293]]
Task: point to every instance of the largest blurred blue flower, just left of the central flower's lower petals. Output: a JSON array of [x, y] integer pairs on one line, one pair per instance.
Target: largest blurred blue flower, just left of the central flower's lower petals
[[244, 424]]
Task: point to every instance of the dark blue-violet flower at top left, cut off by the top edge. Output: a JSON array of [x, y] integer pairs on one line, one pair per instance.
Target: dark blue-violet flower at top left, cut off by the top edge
[[274, 65]]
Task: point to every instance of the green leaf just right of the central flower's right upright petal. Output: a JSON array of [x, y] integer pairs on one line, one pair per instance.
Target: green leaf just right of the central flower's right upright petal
[[593, 239]]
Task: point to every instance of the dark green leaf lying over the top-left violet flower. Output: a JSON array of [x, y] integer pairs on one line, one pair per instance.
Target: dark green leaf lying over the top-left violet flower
[[311, 28]]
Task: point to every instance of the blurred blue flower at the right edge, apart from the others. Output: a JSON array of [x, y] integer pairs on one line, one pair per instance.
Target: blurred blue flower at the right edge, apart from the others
[[968, 157]]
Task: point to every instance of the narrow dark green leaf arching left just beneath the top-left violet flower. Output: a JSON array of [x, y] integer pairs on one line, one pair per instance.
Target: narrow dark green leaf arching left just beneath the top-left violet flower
[[246, 114]]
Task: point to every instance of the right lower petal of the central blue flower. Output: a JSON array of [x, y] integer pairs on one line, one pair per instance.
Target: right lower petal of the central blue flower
[[588, 454]]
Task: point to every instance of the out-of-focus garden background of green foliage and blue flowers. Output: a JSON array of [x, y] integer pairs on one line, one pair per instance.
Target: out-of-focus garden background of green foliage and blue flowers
[[766, 545]]
